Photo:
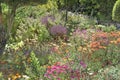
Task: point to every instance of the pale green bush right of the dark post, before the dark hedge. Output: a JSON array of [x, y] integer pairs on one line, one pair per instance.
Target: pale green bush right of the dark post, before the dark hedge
[[80, 21]]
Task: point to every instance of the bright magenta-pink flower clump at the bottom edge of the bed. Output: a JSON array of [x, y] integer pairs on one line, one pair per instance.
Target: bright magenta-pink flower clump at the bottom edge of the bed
[[65, 71]]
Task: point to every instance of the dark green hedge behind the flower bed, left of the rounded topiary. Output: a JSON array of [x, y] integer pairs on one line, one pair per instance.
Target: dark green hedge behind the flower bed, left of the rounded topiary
[[99, 8]]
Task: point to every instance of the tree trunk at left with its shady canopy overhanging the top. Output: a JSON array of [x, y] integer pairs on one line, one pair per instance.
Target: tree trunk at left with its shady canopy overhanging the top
[[12, 7]]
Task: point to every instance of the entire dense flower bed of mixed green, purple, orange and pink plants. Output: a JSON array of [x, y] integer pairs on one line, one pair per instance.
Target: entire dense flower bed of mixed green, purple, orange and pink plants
[[44, 45]]
